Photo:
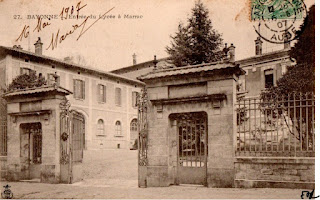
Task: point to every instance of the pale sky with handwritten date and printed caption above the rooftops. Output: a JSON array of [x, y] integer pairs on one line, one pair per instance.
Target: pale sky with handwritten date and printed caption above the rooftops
[[109, 43]]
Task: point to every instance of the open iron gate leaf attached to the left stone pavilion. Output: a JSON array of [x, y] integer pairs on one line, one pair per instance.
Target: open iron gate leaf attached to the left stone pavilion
[[72, 137]]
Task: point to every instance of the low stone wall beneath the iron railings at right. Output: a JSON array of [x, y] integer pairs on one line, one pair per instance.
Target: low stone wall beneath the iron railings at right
[[275, 172]]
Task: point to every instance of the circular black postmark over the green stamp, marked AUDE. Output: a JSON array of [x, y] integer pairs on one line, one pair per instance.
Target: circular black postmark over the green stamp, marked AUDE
[[278, 21]]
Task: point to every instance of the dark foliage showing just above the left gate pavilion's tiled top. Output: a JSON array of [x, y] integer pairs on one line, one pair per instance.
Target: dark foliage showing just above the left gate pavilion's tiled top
[[24, 81]]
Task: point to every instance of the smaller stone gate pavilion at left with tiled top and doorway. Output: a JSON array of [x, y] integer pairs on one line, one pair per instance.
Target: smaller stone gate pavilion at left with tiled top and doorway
[[34, 133]]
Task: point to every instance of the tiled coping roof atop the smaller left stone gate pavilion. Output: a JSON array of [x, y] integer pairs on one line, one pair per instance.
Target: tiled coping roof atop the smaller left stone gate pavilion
[[35, 90]]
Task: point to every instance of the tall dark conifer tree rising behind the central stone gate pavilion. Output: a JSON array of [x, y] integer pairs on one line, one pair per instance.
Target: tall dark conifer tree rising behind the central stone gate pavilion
[[197, 42]]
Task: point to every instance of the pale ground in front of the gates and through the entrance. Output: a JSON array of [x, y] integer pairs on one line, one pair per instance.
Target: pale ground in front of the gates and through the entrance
[[113, 174]]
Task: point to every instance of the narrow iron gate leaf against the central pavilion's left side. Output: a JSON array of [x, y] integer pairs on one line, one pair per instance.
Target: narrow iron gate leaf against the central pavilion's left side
[[142, 101]]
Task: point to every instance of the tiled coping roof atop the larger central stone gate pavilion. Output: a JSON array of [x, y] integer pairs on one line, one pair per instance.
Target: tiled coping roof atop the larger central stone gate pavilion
[[207, 67]]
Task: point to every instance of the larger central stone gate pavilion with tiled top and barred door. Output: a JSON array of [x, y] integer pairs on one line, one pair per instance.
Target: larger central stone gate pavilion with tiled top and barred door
[[191, 125]]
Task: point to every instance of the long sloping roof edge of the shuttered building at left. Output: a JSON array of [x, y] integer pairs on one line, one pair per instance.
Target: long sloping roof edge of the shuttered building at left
[[74, 66]]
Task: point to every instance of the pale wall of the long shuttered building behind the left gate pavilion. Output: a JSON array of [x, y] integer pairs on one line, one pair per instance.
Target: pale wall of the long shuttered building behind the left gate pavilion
[[89, 107]]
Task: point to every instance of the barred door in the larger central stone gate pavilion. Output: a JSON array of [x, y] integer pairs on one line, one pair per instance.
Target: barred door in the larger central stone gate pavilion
[[192, 151]]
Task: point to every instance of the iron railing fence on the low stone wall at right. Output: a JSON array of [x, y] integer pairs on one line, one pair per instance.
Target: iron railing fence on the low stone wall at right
[[276, 125]]
